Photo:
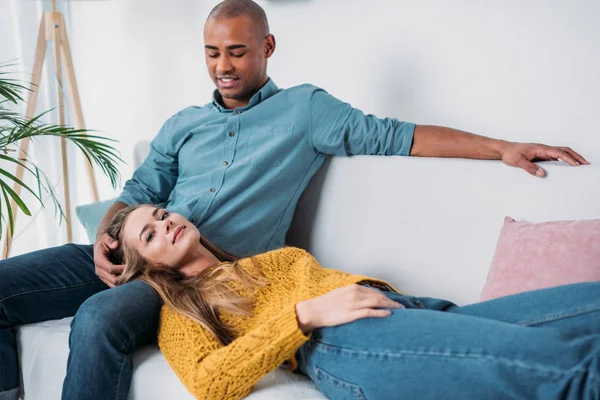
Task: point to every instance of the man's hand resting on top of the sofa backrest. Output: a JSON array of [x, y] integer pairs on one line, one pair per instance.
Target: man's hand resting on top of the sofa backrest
[[521, 155]]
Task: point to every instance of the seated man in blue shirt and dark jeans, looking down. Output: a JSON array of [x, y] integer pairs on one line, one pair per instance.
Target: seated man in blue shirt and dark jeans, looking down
[[236, 168]]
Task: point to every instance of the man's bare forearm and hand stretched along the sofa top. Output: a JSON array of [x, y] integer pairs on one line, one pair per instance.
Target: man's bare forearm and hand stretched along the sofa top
[[437, 141]]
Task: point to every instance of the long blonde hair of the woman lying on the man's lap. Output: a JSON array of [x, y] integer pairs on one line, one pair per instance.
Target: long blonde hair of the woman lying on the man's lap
[[198, 297]]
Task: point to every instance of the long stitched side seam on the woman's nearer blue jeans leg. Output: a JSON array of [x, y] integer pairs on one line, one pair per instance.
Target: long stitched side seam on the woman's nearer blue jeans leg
[[404, 353]]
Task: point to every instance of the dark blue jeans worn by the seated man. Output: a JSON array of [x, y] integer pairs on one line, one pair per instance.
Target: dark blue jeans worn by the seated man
[[60, 282]]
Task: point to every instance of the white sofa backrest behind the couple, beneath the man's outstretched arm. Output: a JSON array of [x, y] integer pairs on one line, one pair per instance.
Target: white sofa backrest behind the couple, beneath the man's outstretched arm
[[429, 226]]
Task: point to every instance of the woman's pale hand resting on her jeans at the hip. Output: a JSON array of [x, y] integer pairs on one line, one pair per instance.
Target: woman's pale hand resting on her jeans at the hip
[[343, 305]]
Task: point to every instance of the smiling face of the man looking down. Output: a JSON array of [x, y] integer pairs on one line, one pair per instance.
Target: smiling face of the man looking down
[[236, 56]]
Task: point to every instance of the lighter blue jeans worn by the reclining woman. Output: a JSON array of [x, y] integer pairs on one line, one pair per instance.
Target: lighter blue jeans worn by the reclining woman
[[543, 344]]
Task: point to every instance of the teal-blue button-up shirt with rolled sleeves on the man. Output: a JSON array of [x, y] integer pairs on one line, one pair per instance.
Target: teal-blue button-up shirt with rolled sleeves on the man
[[237, 174]]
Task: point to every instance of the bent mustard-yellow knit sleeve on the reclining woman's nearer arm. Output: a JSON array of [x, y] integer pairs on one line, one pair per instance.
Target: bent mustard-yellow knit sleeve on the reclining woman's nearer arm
[[210, 370]]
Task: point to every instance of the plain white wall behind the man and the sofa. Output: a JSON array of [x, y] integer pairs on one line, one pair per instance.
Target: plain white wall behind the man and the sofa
[[517, 70]]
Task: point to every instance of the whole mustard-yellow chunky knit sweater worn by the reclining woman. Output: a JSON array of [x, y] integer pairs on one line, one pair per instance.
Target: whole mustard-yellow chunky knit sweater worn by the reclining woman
[[263, 341]]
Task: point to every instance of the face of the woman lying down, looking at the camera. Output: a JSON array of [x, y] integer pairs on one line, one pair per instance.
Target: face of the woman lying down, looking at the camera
[[161, 237]]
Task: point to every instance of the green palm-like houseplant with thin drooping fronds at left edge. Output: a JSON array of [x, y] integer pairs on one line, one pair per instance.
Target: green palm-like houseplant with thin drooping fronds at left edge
[[14, 127]]
